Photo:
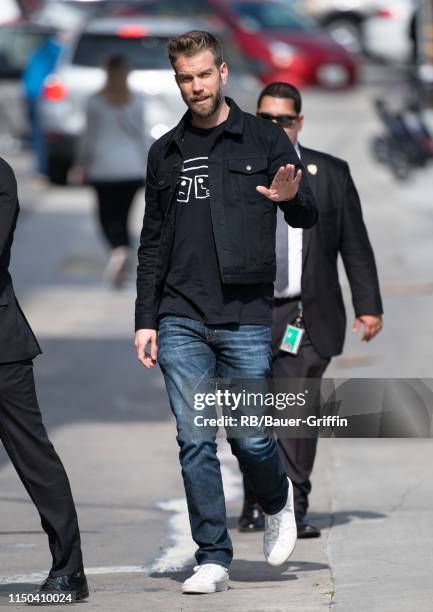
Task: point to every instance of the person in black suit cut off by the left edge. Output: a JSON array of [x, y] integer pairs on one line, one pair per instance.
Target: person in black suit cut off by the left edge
[[21, 429]]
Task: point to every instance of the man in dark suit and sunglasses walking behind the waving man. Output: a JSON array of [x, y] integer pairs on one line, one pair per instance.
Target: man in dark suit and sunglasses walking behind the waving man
[[307, 287]]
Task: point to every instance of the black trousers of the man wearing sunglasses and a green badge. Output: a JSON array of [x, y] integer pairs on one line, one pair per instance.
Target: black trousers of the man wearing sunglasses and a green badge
[[297, 453]]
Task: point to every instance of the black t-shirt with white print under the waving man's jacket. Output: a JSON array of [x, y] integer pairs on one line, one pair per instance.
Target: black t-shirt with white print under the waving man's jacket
[[193, 286]]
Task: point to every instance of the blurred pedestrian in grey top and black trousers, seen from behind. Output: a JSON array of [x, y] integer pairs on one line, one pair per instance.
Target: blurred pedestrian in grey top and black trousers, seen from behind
[[112, 156]]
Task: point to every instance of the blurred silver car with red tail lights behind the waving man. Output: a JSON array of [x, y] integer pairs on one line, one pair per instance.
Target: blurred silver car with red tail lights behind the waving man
[[79, 74]]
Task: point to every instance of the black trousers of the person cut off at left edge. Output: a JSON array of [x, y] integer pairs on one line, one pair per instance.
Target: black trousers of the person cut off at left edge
[[38, 465]]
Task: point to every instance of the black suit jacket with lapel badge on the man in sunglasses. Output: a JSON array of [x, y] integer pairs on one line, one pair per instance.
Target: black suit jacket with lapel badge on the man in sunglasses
[[340, 230]]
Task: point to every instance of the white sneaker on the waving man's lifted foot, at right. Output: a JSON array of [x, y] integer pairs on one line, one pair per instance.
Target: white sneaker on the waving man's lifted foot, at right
[[280, 534]]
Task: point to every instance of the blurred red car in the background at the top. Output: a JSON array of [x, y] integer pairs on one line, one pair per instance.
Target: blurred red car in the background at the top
[[286, 44]]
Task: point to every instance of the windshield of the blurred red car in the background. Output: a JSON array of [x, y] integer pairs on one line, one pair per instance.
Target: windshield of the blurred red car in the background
[[273, 15]]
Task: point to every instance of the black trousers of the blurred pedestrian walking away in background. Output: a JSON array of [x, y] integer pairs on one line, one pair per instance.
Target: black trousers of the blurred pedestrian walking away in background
[[114, 203]]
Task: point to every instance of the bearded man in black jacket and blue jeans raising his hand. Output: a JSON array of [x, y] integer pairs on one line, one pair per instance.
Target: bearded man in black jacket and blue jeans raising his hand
[[205, 274]]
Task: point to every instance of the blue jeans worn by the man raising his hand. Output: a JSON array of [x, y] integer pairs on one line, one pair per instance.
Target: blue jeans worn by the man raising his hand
[[191, 350]]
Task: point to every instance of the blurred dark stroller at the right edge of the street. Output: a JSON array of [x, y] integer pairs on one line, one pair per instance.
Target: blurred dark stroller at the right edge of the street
[[406, 144]]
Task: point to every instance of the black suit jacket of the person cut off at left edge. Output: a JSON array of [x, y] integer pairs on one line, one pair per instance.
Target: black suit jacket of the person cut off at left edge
[[17, 341]]
